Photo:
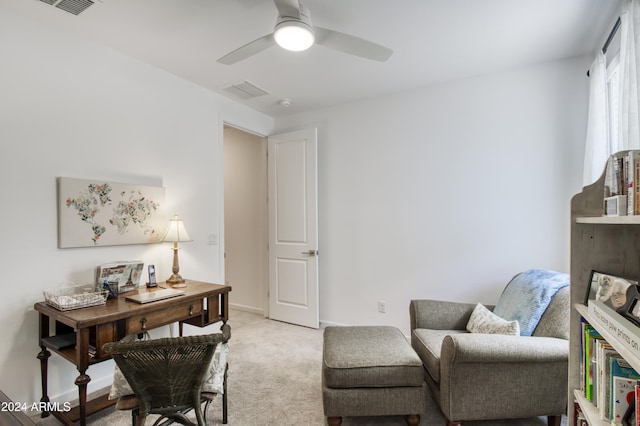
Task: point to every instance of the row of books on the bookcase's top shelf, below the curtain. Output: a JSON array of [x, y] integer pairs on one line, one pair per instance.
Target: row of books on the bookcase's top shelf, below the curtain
[[622, 184]]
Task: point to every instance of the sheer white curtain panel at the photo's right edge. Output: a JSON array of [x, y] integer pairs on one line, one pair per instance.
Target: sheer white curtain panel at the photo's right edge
[[628, 96]]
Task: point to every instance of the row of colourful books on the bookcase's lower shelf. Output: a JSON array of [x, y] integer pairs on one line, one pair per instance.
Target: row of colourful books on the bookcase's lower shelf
[[608, 381]]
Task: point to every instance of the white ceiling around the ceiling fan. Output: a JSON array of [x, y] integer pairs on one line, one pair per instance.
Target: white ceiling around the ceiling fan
[[433, 41]]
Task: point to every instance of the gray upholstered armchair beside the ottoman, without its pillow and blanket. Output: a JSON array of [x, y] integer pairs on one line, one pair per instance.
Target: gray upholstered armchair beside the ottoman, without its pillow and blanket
[[477, 376]]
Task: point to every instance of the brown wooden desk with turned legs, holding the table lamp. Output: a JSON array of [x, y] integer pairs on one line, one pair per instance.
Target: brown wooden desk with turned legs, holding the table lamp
[[88, 329]]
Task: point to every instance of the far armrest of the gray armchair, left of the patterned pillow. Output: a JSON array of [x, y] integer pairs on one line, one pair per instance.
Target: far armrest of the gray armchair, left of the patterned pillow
[[440, 315]]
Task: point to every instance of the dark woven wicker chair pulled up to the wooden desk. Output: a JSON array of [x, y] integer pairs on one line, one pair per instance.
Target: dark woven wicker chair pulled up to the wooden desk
[[166, 375]]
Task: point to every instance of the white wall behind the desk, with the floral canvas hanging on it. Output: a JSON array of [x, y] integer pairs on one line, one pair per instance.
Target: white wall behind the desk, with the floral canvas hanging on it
[[69, 107]]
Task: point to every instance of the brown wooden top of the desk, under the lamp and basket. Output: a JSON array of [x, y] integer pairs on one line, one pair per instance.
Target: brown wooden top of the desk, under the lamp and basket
[[120, 308]]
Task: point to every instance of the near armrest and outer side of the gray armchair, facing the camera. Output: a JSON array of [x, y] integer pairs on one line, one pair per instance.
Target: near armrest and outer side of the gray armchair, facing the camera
[[529, 373]]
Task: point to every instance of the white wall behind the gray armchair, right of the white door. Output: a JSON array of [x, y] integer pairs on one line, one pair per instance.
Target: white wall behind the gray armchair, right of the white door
[[448, 191]]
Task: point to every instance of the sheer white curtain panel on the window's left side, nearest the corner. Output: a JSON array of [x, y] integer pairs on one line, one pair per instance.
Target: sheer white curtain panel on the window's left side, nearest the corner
[[597, 148]]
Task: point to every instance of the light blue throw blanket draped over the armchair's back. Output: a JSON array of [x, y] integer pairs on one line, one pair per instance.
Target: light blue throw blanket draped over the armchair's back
[[527, 296]]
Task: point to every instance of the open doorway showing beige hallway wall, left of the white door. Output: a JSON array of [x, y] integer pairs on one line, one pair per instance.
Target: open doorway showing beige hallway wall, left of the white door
[[246, 219]]
